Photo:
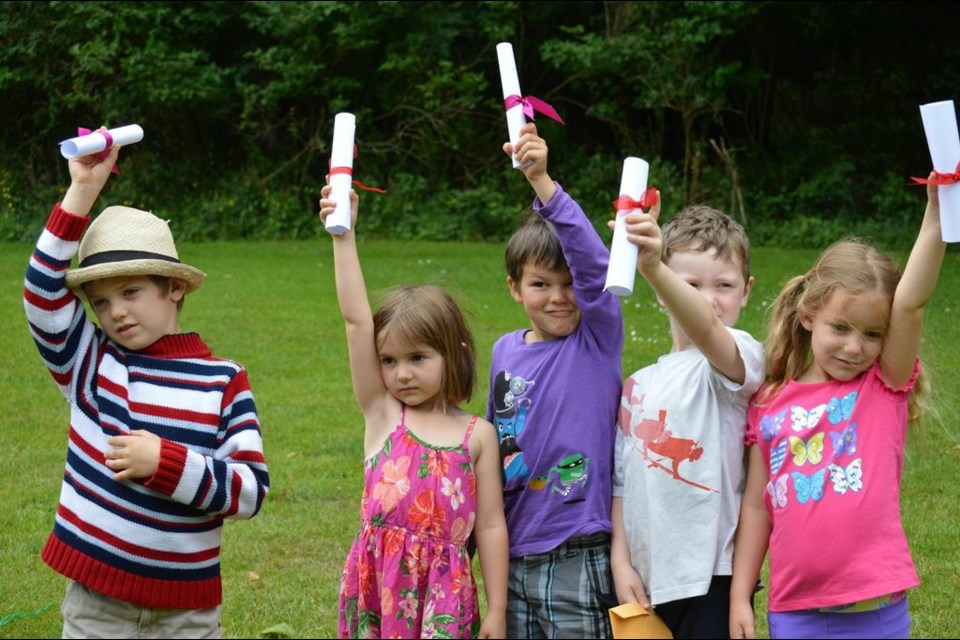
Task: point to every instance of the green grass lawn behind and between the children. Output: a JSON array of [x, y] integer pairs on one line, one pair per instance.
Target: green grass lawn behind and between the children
[[272, 307]]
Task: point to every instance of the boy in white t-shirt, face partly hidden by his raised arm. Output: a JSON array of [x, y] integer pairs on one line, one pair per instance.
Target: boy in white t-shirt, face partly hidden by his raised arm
[[679, 469]]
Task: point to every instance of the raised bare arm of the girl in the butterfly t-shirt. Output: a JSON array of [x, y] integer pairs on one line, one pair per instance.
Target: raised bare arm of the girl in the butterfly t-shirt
[[902, 342]]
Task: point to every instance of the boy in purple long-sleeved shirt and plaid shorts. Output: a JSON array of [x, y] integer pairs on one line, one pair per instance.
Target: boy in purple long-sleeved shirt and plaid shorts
[[554, 392]]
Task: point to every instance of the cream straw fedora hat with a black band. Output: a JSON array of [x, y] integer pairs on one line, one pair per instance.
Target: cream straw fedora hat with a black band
[[124, 241]]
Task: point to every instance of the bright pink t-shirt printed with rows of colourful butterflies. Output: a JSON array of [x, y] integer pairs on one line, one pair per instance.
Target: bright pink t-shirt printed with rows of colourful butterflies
[[834, 458]]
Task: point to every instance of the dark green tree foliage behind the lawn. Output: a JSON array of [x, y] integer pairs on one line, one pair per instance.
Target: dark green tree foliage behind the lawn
[[799, 118]]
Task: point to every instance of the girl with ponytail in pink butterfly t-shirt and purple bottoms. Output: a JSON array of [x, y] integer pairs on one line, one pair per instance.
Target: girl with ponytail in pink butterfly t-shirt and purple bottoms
[[826, 436]]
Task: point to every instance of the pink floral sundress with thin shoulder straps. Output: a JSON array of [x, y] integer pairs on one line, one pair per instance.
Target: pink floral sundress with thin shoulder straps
[[408, 573]]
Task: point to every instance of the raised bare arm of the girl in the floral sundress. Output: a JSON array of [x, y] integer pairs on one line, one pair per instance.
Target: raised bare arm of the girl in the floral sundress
[[368, 385]]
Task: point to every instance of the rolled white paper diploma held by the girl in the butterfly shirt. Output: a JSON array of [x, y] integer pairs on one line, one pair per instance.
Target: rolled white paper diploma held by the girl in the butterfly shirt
[[940, 125]]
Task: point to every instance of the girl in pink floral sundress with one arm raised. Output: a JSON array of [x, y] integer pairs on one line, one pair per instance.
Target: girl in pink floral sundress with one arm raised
[[432, 471]]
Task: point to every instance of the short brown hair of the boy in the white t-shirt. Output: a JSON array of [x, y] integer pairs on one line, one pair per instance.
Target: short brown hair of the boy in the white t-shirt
[[699, 228]]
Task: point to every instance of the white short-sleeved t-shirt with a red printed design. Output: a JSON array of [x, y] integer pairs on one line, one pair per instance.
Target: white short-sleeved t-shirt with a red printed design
[[679, 467]]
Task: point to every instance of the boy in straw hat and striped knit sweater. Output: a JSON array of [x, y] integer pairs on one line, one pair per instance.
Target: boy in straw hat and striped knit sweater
[[164, 438]]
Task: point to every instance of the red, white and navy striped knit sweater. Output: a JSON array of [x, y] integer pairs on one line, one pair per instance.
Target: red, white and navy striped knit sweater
[[154, 542]]
